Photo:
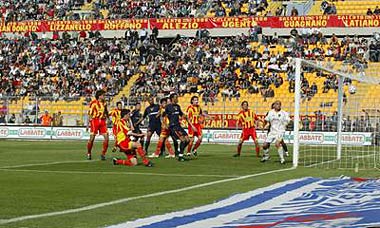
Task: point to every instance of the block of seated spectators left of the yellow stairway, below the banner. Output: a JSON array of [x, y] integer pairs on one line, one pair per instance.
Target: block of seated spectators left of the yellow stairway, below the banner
[[67, 68]]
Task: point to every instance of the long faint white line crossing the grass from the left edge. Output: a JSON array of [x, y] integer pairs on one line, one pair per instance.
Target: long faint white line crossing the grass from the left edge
[[116, 173]]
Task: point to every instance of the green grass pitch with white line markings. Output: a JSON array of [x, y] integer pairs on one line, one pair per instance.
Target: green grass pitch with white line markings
[[40, 177]]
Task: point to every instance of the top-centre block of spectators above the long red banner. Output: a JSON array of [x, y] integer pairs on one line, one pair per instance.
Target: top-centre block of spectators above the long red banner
[[118, 9]]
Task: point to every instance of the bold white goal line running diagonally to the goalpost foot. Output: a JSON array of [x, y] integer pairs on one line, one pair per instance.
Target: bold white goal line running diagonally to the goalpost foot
[[110, 203]]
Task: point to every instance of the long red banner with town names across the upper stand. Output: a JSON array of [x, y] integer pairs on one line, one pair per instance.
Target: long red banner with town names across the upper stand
[[323, 21]]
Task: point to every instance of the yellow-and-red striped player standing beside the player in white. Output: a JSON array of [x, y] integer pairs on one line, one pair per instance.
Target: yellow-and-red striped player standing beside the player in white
[[247, 119]]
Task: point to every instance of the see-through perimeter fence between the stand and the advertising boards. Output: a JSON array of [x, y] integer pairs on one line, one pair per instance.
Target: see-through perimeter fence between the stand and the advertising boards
[[316, 114]]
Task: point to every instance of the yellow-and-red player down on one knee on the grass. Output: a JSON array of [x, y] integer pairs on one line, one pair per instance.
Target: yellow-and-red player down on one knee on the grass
[[126, 145]]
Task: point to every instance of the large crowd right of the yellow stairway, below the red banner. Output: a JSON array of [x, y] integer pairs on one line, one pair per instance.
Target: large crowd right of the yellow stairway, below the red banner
[[228, 65]]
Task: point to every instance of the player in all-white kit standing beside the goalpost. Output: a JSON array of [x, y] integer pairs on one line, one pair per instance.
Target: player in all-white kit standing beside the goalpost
[[278, 120]]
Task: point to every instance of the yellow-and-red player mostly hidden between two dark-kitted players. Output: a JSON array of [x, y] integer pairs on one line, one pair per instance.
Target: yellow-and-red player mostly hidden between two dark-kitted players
[[165, 132]]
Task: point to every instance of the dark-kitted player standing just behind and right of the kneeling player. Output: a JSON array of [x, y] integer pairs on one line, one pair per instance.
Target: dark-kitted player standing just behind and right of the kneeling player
[[154, 126]]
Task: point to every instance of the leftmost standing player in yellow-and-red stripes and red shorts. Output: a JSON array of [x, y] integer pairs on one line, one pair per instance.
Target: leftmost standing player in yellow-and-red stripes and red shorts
[[98, 115]]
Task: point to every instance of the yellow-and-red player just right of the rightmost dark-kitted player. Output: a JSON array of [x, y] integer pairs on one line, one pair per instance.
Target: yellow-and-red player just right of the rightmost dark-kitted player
[[195, 117]]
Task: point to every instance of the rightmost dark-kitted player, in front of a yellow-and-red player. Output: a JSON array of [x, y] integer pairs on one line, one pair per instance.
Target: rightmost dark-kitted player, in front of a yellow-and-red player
[[174, 112]]
